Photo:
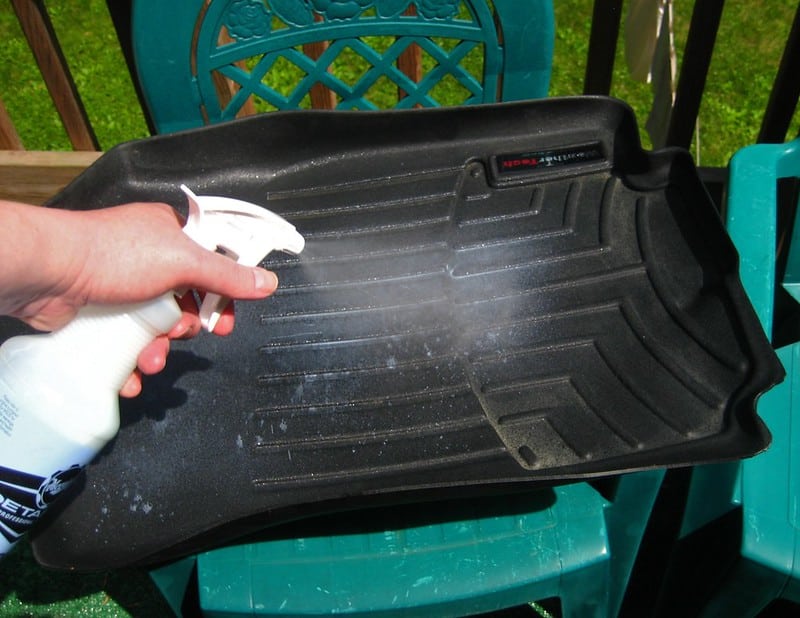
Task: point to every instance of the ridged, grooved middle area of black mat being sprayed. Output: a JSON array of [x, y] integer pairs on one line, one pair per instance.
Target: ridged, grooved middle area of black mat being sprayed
[[456, 322]]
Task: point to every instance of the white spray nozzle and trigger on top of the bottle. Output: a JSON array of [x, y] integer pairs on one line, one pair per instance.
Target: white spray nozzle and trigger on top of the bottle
[[239, 230]]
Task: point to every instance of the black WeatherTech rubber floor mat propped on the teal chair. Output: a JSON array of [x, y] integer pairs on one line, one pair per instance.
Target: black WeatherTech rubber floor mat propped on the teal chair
[[489, 296]]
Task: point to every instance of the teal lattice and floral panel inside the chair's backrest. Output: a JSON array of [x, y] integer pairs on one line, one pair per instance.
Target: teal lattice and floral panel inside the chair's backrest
[[344, 54]]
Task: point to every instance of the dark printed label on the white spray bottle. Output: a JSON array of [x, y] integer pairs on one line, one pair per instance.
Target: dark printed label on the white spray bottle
[[24, 498]]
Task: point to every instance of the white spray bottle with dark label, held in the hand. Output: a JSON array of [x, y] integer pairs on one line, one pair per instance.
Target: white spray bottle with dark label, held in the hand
[[59, 401]]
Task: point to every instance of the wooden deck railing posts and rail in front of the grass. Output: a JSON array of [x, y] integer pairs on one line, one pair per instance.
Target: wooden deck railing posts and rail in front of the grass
[[34, 176]]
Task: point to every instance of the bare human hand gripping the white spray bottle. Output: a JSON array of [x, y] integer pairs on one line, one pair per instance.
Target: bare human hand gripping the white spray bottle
[[56, 261]]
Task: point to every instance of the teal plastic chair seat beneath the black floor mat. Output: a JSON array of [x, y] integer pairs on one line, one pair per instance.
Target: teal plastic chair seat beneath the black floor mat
[[573, 544]]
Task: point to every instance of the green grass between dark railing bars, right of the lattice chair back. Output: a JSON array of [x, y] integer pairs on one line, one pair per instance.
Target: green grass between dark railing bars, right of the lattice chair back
[[746, 58]]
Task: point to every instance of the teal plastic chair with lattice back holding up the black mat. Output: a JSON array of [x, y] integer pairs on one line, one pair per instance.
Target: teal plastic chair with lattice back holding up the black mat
[[205, 62]]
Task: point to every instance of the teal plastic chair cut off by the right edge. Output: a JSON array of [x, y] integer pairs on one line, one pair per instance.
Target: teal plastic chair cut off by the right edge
[[766, 488]]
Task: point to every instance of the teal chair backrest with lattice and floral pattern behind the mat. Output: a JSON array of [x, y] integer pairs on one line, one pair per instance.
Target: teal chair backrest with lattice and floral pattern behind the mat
[[206, 61]]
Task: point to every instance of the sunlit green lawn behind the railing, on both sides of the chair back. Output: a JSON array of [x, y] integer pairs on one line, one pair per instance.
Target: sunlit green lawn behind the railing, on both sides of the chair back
[[746, 57]]
